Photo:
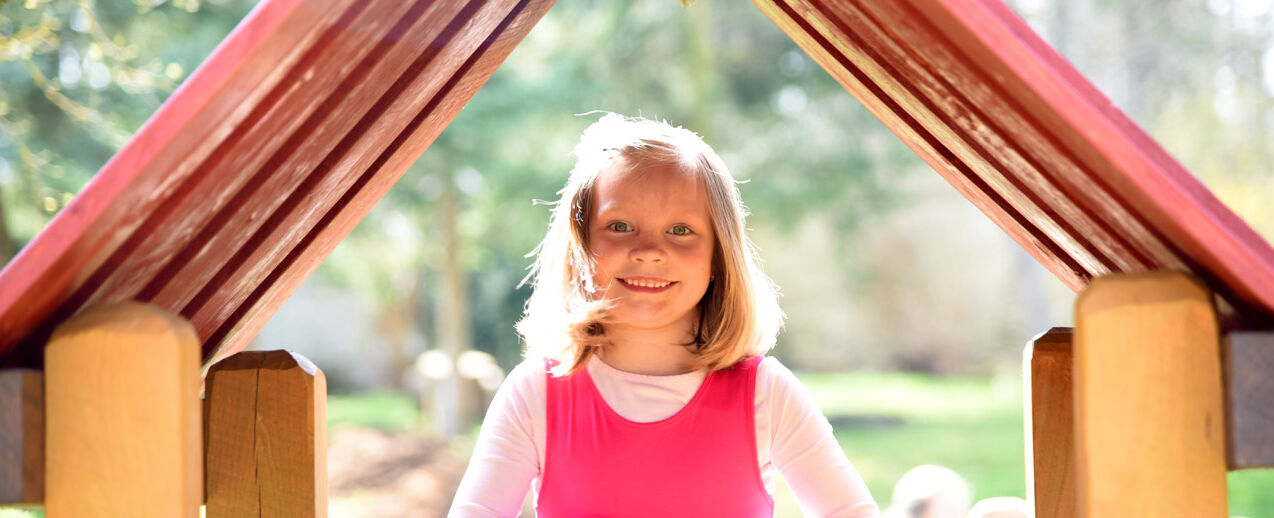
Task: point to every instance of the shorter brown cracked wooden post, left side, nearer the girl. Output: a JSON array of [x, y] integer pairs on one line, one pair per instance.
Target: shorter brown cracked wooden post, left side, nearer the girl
[[267, 424]]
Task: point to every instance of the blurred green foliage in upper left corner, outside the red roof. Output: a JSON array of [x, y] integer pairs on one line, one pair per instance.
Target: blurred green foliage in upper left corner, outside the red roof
[[77, 80]]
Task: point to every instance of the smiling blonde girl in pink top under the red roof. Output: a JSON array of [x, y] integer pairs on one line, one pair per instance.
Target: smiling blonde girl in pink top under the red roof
[[645, 391]]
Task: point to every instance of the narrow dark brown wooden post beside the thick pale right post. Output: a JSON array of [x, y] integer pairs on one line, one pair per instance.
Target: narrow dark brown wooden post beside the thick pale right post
[[1050, 424]]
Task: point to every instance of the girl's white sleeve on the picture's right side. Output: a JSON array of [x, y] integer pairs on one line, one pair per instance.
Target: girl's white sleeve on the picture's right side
[[806, 452]]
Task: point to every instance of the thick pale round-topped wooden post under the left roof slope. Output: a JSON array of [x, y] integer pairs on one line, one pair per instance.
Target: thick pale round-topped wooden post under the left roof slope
[[123, 416]]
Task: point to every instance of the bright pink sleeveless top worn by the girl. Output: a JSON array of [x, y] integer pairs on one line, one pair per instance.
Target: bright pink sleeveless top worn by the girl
[[700, 463]]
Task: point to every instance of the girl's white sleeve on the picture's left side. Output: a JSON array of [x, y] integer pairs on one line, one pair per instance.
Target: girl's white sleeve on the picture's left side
[[506, 458]]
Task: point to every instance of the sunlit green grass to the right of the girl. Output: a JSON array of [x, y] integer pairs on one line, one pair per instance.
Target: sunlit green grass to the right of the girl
[[971, 426]]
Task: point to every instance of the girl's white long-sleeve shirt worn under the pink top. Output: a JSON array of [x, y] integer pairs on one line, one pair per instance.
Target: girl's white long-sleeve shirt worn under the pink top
[[794, 438]]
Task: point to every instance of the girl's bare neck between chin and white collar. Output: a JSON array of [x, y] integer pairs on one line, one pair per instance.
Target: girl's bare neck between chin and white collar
[[648, 352]]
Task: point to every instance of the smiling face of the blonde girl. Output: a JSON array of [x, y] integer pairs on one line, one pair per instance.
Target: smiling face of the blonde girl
[[652, 236]]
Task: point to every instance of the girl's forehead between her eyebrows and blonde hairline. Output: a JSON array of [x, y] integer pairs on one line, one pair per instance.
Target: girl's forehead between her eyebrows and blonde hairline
[[659, 189]]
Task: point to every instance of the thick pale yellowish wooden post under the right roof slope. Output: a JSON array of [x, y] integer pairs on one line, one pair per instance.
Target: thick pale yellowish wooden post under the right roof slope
[[1150, 417]]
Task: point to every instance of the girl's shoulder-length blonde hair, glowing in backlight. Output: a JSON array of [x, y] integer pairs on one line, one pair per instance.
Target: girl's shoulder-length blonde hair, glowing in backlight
[[562, 323]]
